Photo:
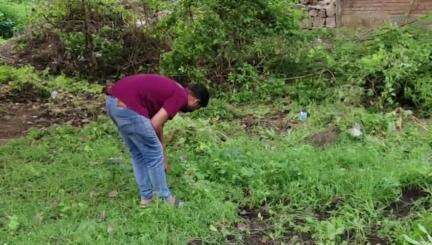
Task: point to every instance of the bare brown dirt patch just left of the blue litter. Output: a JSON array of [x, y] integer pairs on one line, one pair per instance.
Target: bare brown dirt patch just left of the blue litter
[[278, 122]]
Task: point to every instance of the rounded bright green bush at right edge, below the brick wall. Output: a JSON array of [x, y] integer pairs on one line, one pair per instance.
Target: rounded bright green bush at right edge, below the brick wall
[[397, 67]]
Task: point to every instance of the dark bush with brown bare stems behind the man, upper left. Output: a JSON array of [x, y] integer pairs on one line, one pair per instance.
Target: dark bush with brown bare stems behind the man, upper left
[[93, 38]]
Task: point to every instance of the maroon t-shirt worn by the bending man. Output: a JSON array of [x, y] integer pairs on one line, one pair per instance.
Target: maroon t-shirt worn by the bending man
[[148, 93]]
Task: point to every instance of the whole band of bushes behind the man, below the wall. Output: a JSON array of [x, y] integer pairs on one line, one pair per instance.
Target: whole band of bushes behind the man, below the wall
[[244, 50]]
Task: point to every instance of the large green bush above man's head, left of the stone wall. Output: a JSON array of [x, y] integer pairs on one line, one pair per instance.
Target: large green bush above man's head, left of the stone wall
[[218, 39]]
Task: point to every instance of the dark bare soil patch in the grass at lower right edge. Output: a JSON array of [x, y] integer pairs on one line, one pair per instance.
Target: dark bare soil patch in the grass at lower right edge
[[410, 194]]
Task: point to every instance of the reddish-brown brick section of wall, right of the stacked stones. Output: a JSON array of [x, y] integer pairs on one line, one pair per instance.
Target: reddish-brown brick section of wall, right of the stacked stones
[[373, 12]]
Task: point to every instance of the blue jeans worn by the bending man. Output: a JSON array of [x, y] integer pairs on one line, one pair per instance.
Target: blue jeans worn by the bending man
[[145, 148]]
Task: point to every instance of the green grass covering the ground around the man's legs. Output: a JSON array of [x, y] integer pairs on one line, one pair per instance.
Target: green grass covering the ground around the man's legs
[[55, 184]]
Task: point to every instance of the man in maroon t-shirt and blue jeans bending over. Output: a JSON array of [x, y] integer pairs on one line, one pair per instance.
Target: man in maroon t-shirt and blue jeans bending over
[[139, 105]]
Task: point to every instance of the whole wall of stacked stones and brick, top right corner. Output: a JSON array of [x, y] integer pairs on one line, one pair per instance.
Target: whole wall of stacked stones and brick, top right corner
[[332, 13]]
